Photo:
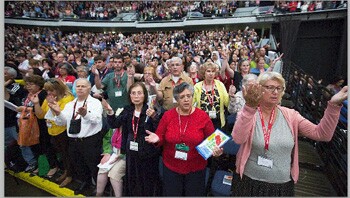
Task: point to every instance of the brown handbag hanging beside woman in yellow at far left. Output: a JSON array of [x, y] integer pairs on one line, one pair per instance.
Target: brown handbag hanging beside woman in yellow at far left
[[29, 131]]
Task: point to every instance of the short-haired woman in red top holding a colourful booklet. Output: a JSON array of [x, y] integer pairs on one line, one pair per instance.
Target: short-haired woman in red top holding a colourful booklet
[[180, 130]]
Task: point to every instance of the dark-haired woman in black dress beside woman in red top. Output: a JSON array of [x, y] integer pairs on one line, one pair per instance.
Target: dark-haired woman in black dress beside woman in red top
[[142, 158]]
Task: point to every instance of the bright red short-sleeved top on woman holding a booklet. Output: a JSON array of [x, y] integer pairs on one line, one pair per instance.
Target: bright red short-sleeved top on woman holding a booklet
[[199, 126]]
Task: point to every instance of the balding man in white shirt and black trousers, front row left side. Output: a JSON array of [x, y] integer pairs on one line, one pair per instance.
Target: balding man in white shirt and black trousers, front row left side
[[85, 139]]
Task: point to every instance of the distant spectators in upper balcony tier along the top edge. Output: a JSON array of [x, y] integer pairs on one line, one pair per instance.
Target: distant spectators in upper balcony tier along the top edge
[[150, 10]]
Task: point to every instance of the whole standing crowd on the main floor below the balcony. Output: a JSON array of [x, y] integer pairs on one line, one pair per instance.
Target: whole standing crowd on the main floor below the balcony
[[133, 98]]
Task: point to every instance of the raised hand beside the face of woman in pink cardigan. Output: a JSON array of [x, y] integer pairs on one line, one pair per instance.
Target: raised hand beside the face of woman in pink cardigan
[[252, 94]]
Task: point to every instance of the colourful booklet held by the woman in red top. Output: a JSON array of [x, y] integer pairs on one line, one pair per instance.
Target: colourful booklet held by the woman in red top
[[217, 138]]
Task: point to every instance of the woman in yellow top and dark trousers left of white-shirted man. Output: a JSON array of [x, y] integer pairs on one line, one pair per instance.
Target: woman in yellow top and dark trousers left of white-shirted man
[[58, 92]]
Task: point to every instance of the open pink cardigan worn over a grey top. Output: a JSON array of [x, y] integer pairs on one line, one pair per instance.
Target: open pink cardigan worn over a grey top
[[242, 132]]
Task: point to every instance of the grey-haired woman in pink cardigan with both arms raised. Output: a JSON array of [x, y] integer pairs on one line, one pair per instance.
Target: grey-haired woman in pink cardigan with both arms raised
[[267, 160]]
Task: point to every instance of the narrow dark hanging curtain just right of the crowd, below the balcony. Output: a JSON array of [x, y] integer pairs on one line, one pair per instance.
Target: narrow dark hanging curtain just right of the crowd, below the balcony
[[289, 32]]
